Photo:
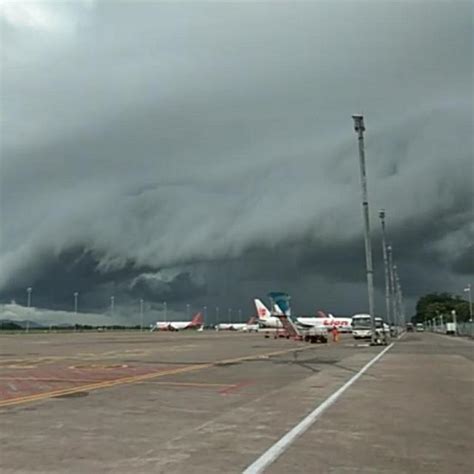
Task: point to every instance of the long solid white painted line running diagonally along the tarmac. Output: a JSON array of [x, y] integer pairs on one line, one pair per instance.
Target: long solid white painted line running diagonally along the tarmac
[[269, 456]]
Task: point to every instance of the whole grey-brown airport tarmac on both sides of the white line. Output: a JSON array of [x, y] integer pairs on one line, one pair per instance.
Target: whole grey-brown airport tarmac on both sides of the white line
[[215, 402]]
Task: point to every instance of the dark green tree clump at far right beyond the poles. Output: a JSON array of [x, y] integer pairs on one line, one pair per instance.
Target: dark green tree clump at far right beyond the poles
[[437, 304]]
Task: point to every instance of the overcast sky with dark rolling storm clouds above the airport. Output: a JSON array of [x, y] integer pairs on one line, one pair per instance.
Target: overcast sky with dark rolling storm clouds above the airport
[[204, 153]]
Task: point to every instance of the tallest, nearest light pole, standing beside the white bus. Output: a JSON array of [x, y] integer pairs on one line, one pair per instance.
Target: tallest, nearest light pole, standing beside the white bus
[[359, 127]]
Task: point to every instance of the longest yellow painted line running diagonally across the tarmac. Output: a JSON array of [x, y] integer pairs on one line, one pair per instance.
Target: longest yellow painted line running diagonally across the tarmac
[[139, 378]]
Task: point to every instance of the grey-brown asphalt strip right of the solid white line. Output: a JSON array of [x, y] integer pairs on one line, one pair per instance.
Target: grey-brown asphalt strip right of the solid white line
[[412, 413]]
